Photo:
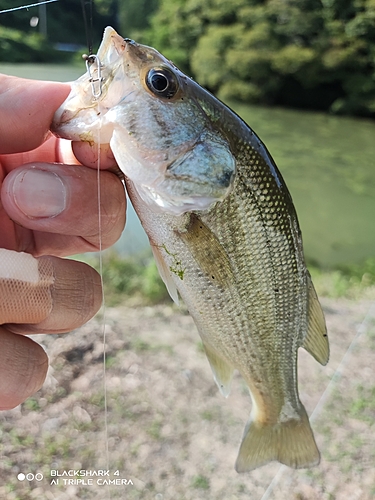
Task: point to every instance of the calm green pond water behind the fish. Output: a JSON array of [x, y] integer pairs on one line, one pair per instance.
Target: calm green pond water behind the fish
[[327, 162]]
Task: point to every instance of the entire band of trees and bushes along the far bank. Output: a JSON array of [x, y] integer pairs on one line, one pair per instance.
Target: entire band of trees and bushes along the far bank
[[315, 54]]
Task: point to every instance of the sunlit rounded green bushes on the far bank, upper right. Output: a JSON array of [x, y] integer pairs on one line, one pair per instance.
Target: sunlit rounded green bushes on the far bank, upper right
[[304, 53]]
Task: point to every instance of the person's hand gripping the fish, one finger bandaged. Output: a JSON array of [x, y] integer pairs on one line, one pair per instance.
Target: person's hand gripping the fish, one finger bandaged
[[47, 210]]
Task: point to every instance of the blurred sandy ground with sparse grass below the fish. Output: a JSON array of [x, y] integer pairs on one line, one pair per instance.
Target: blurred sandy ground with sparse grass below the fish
[[169, 434]]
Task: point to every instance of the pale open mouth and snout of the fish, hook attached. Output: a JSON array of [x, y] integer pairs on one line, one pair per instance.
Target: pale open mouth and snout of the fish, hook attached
[[83, 113]]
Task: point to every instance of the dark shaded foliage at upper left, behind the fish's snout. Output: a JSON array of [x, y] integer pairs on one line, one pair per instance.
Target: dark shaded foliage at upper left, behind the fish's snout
[[69, 22]]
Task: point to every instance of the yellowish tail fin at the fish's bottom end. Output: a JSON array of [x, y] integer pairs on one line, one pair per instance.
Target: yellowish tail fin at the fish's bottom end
[[290, 442]]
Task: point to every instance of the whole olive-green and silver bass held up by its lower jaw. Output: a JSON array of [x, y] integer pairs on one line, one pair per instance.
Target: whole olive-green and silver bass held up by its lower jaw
[[222, 227]]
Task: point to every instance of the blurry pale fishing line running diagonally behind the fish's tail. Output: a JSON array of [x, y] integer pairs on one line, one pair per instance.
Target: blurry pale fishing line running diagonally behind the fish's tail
[[328, 390]]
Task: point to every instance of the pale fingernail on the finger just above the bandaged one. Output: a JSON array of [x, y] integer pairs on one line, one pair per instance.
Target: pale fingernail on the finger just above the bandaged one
[[39, 193]]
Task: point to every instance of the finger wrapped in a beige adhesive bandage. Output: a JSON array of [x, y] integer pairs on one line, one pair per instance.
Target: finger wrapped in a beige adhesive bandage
[[46, 294]]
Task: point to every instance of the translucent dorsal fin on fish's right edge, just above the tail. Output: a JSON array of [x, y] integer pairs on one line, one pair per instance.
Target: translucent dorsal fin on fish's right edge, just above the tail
[[316, 340]]
